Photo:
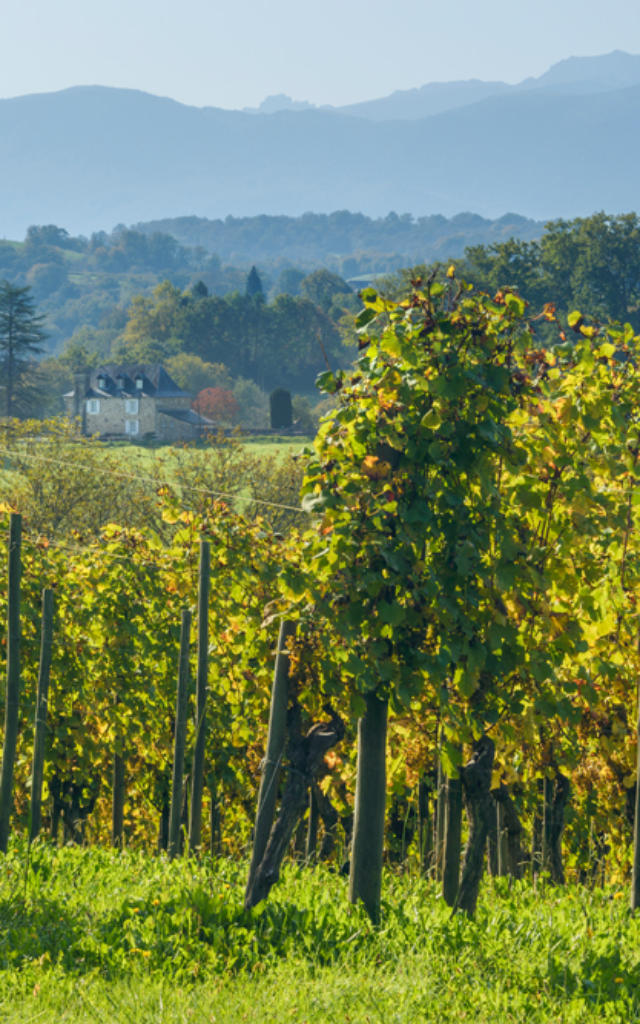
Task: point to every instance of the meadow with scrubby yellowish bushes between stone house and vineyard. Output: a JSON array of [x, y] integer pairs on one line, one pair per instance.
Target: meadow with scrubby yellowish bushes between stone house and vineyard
[[45, 479]]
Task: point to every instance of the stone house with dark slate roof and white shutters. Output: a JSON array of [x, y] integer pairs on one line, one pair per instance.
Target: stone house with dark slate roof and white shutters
[[135, 402]]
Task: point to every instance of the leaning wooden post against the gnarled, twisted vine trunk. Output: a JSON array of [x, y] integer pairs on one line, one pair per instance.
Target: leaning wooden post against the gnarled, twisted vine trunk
[[268, 795]]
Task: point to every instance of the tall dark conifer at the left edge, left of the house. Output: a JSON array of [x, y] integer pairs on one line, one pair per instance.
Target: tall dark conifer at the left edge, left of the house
[[22, 336]]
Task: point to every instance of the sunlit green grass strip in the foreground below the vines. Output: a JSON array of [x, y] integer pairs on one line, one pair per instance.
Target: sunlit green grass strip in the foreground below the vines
[[92, 936]]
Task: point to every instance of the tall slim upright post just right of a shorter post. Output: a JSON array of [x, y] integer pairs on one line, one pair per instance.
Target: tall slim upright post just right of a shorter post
[[198, 776]]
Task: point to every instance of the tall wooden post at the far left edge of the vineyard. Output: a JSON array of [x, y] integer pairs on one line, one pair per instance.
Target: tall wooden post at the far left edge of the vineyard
[[13, 679]]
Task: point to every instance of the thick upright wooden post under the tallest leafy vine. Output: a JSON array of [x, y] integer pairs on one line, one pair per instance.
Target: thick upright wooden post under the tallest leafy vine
[[367, 849]]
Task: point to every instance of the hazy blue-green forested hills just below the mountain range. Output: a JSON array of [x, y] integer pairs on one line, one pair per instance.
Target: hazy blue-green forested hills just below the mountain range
[[79, 282]]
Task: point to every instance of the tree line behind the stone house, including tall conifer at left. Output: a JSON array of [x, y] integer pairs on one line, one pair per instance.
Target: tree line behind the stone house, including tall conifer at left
[[240, 343]]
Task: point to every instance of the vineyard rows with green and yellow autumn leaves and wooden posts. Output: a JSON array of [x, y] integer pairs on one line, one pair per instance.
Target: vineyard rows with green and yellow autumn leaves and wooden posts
[[428, 658]]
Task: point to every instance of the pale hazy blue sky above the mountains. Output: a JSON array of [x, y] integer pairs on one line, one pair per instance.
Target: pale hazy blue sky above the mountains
[[328, 52]]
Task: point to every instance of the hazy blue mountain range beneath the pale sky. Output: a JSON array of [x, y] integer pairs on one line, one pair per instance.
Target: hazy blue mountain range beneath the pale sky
[[561, 146]]
